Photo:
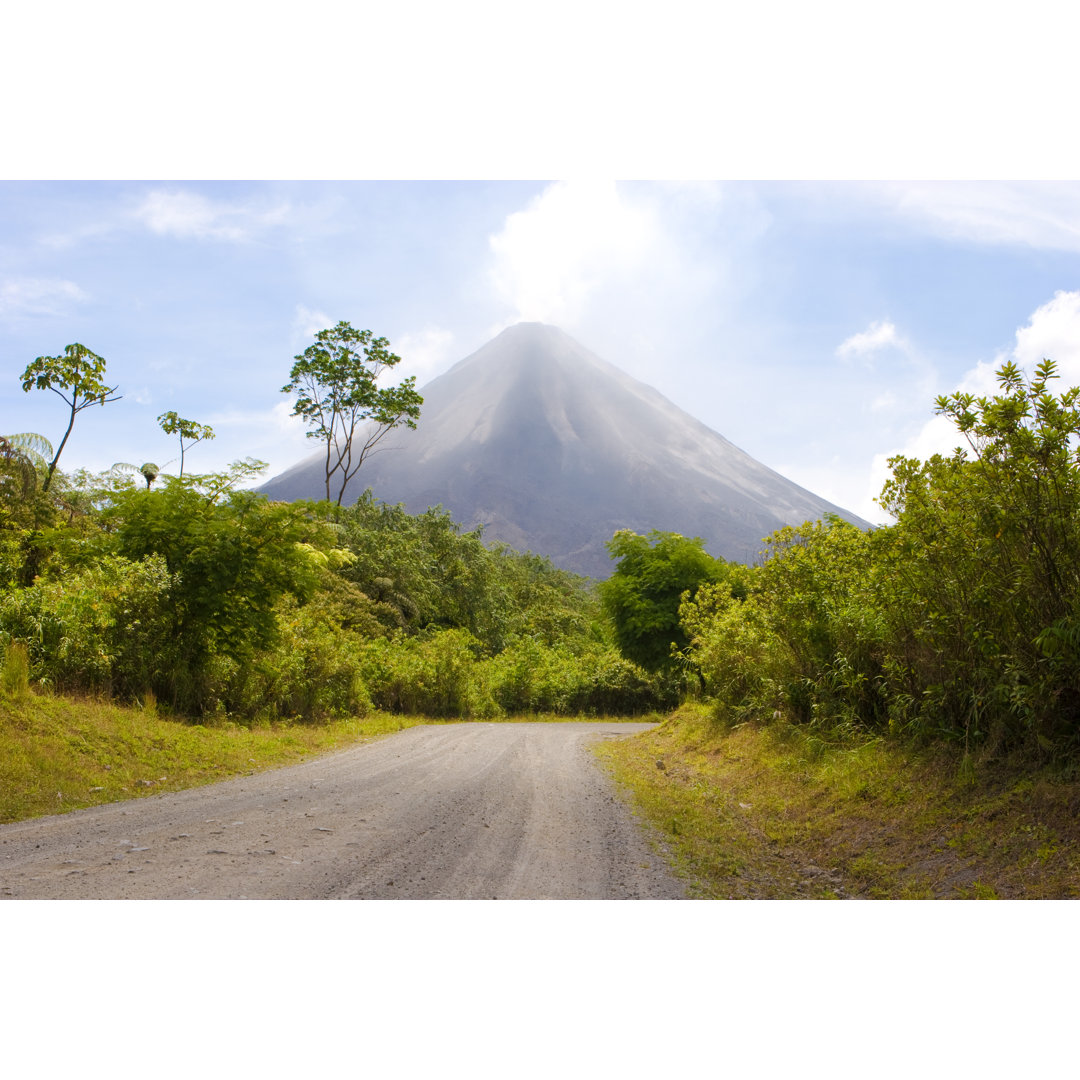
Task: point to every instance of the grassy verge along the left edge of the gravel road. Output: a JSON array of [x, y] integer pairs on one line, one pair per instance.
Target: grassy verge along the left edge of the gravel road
[[60, 754]]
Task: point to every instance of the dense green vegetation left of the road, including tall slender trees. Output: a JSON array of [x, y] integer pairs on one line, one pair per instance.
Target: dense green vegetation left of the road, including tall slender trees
[[217, 604]]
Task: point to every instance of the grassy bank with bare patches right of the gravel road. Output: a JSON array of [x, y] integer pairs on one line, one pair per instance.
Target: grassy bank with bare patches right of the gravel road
[[776, 813]]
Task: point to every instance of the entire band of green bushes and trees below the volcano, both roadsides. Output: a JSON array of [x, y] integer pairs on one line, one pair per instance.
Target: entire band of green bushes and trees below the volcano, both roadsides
[[957, 623]]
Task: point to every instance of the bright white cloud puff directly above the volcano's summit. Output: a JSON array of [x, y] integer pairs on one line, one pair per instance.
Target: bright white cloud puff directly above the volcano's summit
[[571, 240]]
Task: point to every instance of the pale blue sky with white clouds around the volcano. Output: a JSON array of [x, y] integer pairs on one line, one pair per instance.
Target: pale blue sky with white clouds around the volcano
[[813, 323]]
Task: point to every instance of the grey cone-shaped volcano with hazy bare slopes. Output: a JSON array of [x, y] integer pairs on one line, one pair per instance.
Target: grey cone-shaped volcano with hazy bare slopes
[[552, 450]]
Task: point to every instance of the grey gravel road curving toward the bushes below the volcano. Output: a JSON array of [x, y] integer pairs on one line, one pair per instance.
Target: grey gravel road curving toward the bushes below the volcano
[[504, 812]]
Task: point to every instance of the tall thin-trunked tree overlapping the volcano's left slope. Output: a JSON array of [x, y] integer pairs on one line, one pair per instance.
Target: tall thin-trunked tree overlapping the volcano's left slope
[[335, 384]]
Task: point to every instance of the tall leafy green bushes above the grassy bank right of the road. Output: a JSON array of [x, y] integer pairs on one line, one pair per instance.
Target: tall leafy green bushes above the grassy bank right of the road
[[961, 622]]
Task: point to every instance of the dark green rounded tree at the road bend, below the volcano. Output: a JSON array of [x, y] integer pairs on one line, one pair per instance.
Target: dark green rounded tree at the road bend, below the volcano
[[642, 598]]
